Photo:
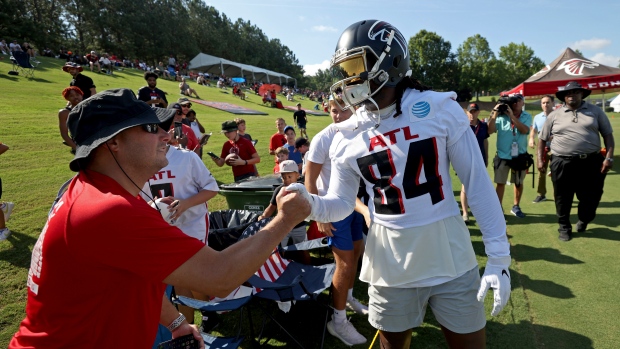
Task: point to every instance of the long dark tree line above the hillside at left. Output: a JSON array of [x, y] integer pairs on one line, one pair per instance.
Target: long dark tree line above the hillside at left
[[149, 30]]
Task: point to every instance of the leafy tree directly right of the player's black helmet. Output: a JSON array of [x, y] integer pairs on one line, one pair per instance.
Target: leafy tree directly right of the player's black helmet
[[432, 62]]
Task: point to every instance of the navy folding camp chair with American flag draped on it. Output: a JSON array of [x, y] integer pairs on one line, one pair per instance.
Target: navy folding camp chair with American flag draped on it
[[305, 282]]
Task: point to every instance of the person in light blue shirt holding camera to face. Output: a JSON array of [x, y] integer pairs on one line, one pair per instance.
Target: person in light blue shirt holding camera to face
[[513, 127]]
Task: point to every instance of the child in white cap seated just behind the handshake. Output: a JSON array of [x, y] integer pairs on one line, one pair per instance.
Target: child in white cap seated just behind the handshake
[[288, 172]]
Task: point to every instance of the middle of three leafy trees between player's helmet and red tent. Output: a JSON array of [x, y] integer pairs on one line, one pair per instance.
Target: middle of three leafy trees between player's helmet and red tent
[[477, 63]]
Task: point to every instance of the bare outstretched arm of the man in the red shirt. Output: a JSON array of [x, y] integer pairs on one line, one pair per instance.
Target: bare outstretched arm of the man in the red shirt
[[241, 260]]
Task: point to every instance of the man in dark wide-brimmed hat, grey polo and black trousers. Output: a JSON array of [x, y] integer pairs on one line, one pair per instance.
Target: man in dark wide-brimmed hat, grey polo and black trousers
[[577, 165]]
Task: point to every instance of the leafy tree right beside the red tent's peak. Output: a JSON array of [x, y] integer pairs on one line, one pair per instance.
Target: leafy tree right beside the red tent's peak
[[517, 63]]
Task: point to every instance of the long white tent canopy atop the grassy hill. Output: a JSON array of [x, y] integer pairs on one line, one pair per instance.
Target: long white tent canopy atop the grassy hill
[[216, 66]]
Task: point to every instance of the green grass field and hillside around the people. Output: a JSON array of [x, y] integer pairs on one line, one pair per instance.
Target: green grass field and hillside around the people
[[565, 295]]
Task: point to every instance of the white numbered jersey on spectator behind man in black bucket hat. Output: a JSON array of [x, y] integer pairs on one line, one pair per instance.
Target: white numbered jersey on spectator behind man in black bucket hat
[[184, 177]]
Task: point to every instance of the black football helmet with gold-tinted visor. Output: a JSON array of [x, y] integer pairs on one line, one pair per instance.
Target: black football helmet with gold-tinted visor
[[368, 50]]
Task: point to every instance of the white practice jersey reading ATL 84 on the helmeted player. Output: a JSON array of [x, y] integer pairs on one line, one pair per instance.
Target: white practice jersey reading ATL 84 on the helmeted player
[[405, 164]]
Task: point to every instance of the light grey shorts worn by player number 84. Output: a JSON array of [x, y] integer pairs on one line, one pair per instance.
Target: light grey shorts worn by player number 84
[[453, 303]]
